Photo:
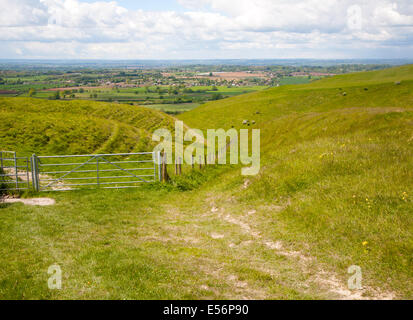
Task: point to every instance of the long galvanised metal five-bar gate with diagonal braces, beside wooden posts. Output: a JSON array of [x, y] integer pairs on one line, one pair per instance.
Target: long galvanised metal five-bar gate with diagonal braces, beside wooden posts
[[106, 171]]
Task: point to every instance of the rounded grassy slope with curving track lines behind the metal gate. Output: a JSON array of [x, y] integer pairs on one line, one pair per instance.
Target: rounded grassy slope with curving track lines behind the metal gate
[[58, 127]]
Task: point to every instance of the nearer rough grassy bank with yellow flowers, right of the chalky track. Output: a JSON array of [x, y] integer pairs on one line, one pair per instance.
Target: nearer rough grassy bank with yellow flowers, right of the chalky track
[[346, 175]]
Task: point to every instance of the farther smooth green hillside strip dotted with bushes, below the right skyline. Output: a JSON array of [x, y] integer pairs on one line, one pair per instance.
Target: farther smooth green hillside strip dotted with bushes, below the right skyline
[[279, 102]]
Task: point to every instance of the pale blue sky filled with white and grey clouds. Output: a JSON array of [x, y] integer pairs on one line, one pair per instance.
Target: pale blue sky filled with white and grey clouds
[[206, 29]]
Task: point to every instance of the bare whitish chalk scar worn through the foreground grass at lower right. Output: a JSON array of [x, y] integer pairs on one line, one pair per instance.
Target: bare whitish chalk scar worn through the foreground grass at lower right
[[324, 279]]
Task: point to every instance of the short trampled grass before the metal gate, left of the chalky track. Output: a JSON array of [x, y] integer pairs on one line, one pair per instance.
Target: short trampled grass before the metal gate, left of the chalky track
[[110, 249]]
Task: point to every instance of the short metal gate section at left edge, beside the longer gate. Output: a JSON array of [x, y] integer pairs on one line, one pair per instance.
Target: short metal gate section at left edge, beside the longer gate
[[15, 173]]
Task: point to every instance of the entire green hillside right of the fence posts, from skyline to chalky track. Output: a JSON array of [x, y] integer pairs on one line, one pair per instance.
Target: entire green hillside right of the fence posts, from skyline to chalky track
[[340, 161]]
